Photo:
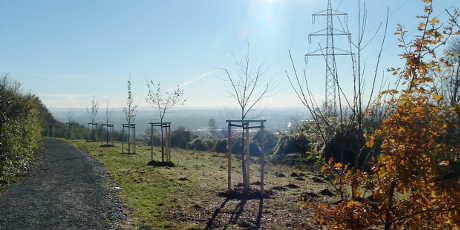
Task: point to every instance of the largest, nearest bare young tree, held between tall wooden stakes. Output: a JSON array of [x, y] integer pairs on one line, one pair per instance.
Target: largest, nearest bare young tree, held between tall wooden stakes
[[249, 86]]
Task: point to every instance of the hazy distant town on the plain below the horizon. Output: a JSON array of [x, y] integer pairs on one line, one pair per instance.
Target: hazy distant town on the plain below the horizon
[[195, 119]]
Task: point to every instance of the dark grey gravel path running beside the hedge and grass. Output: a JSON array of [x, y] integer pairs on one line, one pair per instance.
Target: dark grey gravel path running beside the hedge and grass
[[68, 190]]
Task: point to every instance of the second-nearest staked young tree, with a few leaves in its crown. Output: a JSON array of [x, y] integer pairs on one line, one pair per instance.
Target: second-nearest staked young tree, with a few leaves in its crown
[[163, 102]]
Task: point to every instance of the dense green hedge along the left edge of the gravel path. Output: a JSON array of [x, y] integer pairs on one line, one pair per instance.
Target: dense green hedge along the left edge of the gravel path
[[20, 129]]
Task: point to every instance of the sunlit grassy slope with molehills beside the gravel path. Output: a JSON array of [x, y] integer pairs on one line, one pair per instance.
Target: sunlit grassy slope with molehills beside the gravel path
[[186, 196]]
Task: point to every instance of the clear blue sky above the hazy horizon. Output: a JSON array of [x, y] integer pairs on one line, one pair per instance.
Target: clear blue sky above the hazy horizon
[[69, 51]]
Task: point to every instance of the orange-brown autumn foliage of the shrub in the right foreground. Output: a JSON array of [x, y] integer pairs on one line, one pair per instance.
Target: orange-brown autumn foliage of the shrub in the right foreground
[[413, 183]]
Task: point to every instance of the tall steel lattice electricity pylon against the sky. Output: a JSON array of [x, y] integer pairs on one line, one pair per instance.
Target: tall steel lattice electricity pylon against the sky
[[329, 52]]
